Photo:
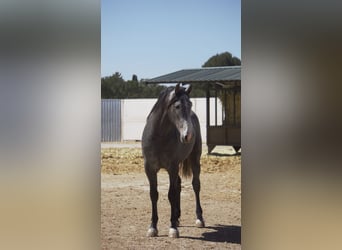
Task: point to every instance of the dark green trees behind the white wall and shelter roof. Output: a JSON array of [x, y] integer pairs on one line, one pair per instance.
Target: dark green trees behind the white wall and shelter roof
[[115, 87]]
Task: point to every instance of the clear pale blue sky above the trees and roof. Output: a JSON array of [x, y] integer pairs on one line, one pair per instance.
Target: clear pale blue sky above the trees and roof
[[155, 37]]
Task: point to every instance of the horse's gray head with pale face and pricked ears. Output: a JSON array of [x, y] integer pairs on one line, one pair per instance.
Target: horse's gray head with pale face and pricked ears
[[179, 112]]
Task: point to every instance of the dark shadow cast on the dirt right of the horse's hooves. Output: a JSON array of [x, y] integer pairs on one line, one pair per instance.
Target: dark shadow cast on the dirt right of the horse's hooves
[[222, 233]]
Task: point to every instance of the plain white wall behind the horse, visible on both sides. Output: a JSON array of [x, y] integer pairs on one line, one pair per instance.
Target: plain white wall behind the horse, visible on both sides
[[135, 111]]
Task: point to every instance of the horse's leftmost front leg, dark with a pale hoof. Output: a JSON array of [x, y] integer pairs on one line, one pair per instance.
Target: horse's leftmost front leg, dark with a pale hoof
[[152, 178]]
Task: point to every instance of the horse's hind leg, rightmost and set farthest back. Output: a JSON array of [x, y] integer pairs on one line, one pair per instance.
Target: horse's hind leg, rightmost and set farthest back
[[196, 184]]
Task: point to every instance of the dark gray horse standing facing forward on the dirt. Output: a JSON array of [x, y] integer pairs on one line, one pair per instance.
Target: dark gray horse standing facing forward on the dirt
[[172, 140]]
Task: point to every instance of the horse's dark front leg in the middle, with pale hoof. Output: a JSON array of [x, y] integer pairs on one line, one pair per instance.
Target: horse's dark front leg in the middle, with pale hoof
[[174, 198]]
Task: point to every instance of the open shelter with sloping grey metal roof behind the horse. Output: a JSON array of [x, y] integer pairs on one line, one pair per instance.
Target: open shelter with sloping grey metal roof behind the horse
[[224, 85]]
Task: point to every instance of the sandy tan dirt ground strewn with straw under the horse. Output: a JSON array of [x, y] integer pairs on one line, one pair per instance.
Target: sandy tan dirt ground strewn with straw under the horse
[[126, 206]]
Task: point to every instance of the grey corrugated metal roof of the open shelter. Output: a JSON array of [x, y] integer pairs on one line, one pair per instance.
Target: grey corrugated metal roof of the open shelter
[[210, 74]]
